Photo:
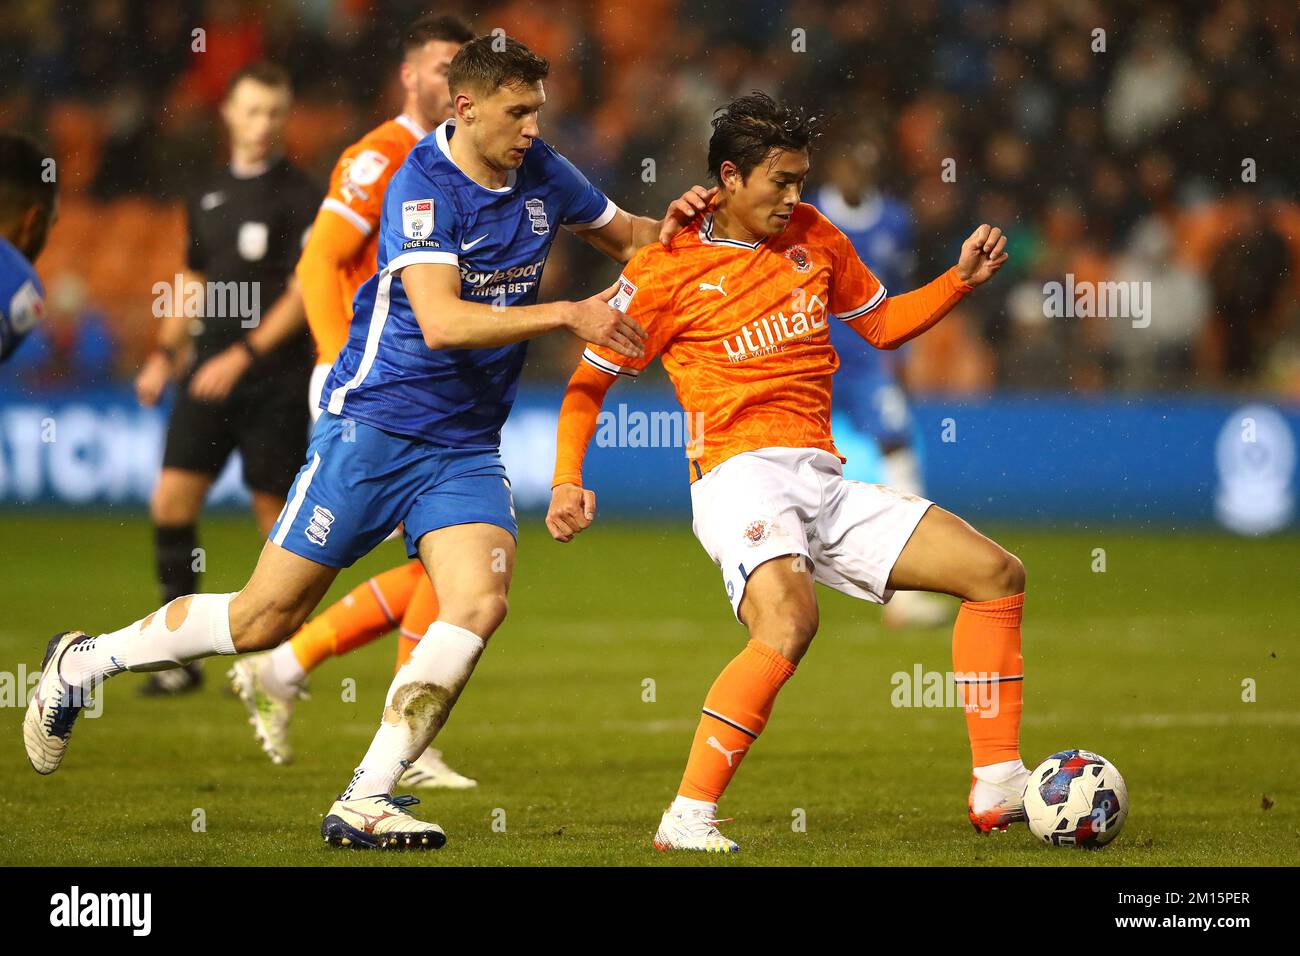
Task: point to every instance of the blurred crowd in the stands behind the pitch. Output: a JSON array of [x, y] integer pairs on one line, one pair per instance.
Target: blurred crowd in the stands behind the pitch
[[1116, 142]]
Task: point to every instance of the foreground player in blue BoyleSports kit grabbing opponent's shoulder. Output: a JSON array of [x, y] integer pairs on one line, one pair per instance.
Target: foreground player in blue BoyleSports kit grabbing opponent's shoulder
[[410, 430]]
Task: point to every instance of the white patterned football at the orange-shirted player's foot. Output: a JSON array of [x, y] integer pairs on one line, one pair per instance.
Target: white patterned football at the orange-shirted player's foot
[[1076, 799]]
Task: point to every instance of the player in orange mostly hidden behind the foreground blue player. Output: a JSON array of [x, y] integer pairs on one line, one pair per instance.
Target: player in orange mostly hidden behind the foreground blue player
[[339, 258]]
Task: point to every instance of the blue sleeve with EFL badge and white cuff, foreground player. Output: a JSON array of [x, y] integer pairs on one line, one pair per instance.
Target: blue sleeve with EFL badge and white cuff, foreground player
[[419, 223]]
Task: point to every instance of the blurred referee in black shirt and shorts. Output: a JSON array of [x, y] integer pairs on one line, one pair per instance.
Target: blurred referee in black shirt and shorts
[[235, 339]]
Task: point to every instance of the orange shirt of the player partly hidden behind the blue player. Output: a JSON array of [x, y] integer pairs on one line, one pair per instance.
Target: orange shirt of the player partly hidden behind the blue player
[[357, 188]]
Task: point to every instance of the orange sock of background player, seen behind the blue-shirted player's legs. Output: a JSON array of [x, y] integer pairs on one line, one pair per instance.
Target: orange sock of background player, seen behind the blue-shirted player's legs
[[371, 609]]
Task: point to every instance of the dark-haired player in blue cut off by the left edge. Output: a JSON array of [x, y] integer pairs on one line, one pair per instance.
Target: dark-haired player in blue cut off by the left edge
[[28, 201]]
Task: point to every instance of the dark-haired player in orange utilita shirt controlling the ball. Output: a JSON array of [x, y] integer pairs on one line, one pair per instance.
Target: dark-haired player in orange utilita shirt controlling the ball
[[739, 310]]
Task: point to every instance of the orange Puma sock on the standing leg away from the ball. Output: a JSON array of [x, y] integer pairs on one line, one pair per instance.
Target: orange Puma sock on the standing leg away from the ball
[[736, 711]]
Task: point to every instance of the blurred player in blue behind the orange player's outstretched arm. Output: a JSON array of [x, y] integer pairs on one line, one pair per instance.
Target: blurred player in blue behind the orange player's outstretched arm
[[873, 423]]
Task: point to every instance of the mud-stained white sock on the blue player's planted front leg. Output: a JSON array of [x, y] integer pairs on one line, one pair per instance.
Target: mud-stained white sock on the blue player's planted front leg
[[423, 693]]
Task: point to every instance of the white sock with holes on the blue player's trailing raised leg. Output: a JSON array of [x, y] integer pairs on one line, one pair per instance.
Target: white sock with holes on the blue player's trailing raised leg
[[203, 633]]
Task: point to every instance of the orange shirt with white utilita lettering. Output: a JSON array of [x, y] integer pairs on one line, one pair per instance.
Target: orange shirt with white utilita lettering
[[744, 331]]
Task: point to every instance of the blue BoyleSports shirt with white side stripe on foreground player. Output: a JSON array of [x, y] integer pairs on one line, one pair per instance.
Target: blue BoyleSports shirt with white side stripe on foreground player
[[499, 239]]
